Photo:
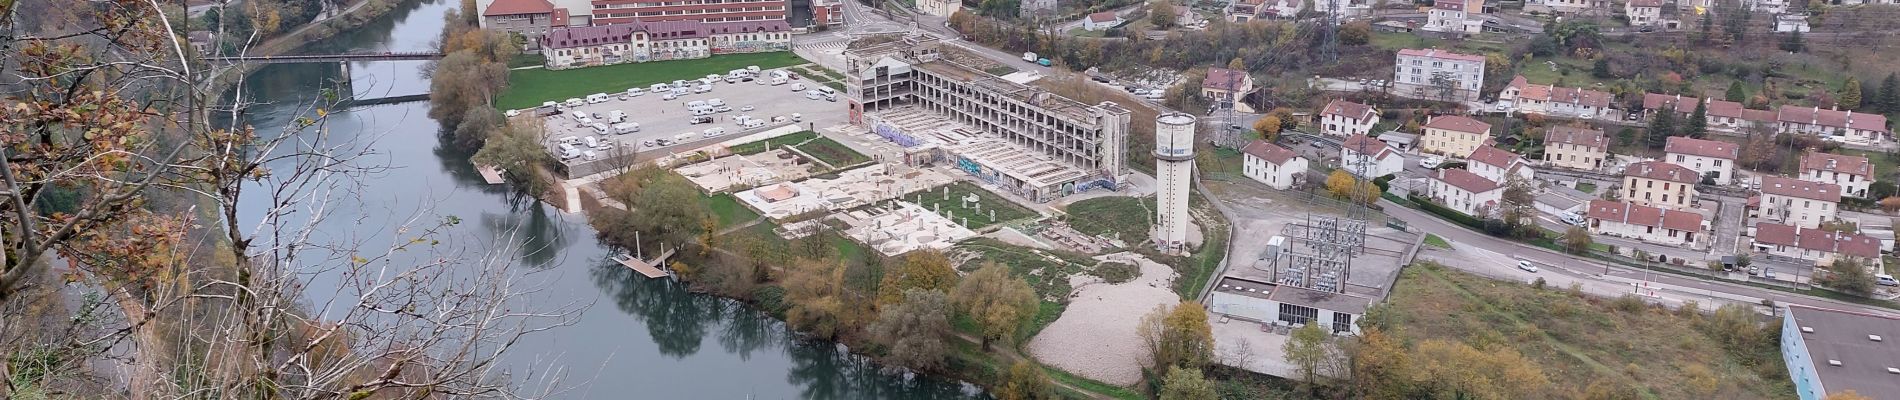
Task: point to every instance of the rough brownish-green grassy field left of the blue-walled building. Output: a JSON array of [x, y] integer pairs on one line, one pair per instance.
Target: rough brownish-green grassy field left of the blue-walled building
[[1624, 348]]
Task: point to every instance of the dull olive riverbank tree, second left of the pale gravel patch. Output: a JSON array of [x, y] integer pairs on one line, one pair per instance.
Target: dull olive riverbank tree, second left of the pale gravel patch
[[913, 331]]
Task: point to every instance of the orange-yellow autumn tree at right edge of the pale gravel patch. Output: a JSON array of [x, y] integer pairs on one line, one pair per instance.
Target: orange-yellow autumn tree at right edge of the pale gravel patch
[[1179, 336]]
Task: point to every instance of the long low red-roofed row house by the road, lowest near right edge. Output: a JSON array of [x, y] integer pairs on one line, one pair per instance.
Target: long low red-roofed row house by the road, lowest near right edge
[[1812, 244]]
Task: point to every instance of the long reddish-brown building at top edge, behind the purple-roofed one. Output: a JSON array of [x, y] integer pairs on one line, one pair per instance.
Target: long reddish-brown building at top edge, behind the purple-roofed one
[[617, 12]]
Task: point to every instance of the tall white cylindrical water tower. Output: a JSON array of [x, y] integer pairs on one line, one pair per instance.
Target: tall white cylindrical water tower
[[1173, 175]]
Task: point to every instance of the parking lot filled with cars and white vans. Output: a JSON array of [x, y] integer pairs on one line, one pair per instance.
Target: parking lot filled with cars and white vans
[[670, 120]]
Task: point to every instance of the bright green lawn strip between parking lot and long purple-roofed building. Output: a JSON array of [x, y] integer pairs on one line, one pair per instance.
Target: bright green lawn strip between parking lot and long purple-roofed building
[[531, 88]]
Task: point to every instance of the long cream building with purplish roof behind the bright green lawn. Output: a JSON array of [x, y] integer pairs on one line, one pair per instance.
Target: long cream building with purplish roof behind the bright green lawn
[[666, 41]]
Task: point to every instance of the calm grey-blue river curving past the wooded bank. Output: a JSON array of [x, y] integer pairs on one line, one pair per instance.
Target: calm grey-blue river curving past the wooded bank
[[639, 338]]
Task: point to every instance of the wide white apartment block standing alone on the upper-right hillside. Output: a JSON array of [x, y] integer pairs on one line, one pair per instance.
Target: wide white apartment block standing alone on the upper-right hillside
[[1437, 75]]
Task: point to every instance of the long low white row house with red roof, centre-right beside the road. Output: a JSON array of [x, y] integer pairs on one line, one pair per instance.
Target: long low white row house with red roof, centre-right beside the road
[[1652, 225]]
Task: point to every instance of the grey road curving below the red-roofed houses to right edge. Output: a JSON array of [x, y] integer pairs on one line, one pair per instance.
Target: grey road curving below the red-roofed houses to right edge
[[1576, 266]]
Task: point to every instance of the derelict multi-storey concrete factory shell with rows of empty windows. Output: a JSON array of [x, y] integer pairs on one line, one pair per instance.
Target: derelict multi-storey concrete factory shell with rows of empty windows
[[1035, 143]]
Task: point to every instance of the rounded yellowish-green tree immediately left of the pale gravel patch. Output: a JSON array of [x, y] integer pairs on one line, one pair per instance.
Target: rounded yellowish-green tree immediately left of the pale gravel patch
[[997, 302]]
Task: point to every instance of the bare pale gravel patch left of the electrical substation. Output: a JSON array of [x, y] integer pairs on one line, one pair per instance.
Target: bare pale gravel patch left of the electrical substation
[[1095, 338]]
